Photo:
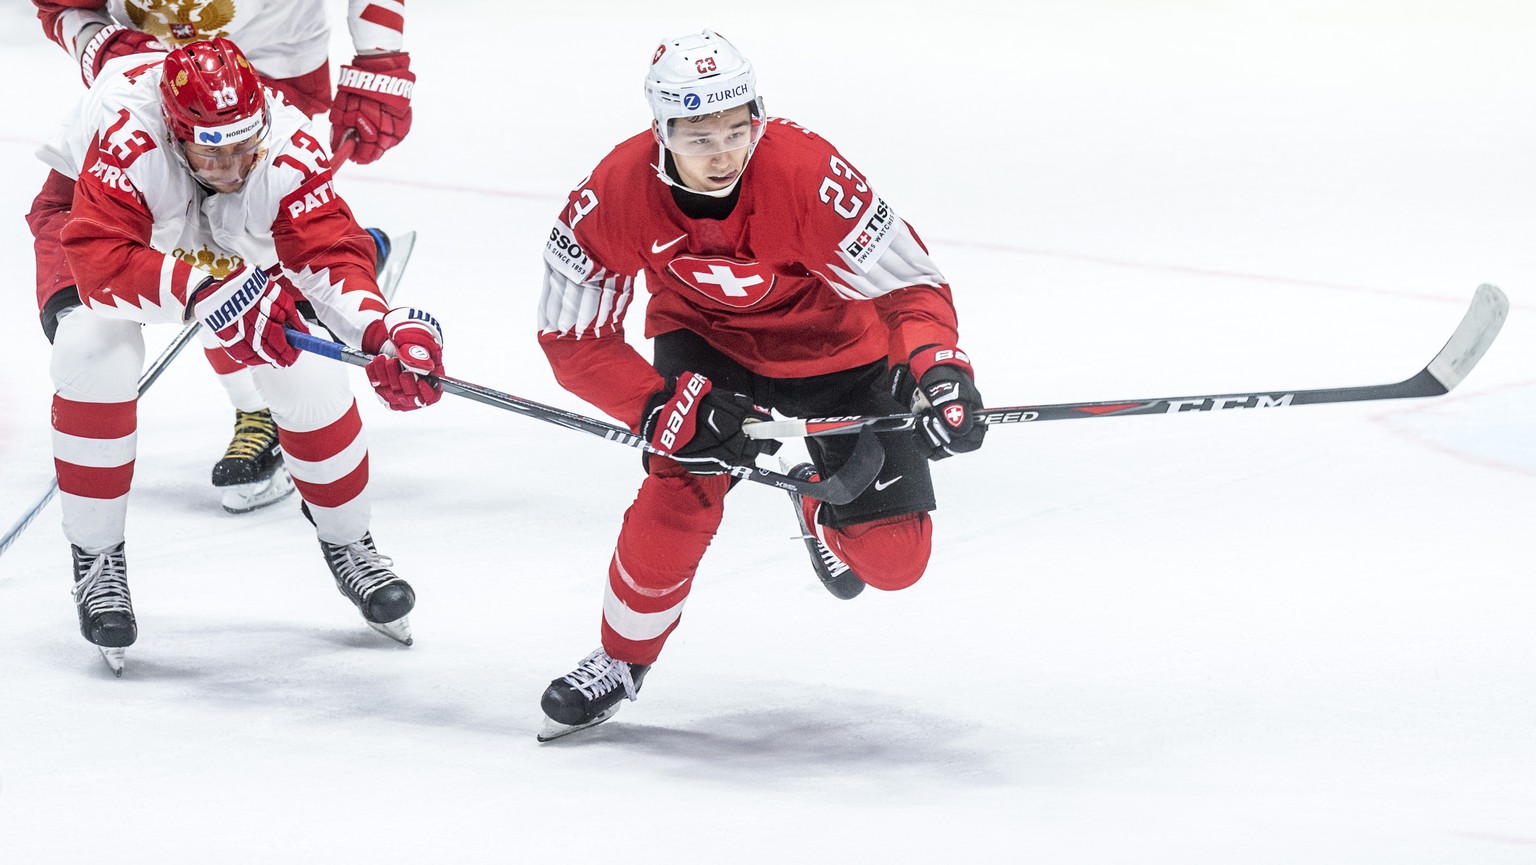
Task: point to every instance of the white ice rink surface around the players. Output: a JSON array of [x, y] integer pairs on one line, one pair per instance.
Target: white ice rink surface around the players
[[1248, 637]]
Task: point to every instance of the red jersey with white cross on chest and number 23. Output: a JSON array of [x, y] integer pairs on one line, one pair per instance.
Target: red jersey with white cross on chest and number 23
[[810, 274]]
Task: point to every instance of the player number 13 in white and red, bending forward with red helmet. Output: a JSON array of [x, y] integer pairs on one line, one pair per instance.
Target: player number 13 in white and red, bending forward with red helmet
[[190, 151]]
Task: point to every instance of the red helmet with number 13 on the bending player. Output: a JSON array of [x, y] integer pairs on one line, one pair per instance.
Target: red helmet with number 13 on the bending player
[[211, 96]]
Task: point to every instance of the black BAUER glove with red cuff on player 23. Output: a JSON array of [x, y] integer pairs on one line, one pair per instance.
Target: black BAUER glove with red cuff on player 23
[[701, 428]]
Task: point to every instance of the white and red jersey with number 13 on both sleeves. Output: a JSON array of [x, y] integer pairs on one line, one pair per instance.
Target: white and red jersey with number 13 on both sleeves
[[144, 231]]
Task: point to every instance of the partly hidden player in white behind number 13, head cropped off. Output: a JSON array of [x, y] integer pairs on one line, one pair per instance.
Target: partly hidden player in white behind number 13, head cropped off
[[290, 45]]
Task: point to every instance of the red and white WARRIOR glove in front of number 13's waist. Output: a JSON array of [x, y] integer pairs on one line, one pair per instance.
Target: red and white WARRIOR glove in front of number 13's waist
[[248, 313]]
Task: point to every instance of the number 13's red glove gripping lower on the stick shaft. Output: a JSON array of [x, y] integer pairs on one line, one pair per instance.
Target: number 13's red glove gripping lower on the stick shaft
[[408, 348]]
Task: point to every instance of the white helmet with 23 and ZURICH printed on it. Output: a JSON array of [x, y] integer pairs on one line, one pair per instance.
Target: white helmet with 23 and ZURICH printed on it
[[700, 75]]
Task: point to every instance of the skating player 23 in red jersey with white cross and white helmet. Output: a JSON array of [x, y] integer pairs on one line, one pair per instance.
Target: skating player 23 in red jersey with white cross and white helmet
[[778, 279]]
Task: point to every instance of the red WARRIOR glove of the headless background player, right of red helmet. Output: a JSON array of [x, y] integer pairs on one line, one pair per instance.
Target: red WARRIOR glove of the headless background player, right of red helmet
[[372, 104]]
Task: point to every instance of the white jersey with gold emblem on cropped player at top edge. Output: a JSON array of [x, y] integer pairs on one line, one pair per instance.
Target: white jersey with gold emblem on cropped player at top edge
[[283, 39]]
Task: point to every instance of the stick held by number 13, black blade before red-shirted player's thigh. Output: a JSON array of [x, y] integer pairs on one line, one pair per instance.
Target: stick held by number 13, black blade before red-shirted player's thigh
[[842, 488]]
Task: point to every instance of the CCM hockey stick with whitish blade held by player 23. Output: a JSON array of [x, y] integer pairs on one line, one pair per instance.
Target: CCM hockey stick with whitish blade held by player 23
[[1463, 351]]
